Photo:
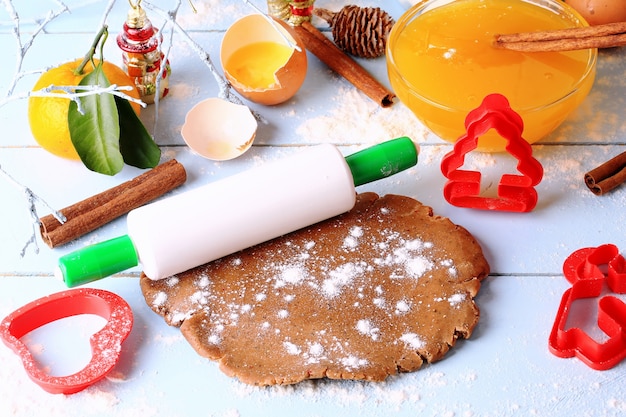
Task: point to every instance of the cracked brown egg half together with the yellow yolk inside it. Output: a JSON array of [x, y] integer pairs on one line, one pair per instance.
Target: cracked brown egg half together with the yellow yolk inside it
[[258, 61]]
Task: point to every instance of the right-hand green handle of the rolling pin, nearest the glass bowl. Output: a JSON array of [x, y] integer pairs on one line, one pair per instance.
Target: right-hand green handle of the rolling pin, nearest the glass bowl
[[382, 160]]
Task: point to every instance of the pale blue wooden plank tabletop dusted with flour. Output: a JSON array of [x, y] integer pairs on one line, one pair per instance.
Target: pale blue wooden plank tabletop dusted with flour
[[505, 368]]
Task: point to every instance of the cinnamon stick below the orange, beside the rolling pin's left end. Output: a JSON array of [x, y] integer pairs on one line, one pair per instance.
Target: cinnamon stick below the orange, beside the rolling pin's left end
[[98, 210]]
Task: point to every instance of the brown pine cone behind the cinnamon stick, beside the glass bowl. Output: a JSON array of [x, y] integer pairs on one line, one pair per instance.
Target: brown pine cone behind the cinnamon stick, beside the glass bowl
[[360, 31]]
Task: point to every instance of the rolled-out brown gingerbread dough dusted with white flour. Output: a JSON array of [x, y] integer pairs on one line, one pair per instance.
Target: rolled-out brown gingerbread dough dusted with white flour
[[379, 290]]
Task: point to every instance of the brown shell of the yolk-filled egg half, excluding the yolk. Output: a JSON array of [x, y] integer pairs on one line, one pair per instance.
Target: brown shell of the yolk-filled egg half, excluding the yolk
[[289, 75]]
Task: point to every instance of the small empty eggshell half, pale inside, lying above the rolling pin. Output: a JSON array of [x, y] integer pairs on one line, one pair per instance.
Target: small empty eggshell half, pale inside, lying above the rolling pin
[[219, 130]]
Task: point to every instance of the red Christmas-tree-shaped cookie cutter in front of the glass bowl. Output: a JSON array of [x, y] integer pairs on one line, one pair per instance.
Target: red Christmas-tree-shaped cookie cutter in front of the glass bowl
[[515, 192]]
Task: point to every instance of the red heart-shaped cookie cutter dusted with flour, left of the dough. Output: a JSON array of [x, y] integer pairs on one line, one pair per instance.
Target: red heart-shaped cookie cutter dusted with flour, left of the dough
[[105, 344]]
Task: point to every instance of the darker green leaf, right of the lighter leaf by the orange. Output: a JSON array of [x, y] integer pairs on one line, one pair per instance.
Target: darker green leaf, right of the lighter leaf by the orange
[[136, 144]]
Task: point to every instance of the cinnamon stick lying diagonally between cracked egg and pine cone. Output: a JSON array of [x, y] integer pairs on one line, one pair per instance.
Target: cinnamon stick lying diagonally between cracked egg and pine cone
[[340, 62]]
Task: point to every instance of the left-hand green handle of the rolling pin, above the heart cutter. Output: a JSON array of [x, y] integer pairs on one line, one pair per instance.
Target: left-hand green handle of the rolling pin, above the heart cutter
[[97, 261]]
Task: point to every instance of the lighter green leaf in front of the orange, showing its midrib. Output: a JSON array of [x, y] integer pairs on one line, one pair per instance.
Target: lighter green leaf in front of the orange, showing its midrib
[[95, 134]]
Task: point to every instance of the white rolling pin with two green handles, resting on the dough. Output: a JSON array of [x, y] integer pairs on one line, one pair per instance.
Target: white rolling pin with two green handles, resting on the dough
[[190, 229]]
